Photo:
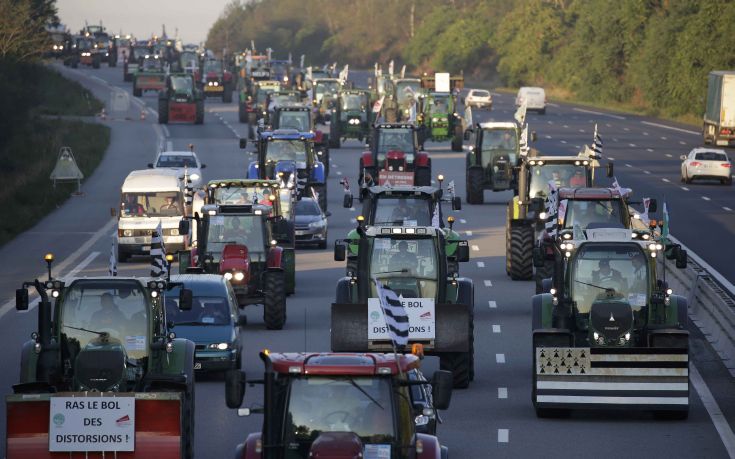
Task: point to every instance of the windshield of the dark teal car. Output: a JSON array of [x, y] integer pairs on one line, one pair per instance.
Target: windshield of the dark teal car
[[205, 310]]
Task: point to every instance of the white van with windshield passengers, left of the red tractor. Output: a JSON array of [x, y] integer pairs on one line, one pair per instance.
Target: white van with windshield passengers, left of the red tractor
[[147, 197]]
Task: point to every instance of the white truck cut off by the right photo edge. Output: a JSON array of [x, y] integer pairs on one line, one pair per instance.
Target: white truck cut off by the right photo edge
[[719, 114]]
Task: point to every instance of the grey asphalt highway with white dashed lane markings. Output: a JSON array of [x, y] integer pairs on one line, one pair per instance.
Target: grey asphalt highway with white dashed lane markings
[[494, 417]]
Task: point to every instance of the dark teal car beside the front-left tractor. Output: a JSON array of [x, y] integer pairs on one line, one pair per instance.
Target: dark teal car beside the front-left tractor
[[212, 323]]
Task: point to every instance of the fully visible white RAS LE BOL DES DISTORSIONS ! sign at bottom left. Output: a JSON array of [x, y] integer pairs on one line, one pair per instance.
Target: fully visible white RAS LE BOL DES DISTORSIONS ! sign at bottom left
[[92, 424]]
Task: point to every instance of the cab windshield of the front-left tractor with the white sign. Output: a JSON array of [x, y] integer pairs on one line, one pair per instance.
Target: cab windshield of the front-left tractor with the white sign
[[118, 308]]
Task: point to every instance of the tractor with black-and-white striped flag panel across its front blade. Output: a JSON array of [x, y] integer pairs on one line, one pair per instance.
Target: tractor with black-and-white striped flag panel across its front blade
[[608, 333]]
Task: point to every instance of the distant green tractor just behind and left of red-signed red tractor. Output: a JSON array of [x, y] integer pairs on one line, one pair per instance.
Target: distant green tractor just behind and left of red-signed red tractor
[[351, 117]]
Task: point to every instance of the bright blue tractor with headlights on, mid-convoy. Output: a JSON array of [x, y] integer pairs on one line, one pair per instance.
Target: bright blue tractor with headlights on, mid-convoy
[[288, 155]]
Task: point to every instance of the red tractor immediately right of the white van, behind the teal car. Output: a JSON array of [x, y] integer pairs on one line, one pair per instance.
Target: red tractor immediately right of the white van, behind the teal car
[[238, 242]]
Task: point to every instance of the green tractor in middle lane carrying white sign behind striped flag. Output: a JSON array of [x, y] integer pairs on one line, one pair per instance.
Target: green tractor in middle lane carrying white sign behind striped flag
[[413, 263]]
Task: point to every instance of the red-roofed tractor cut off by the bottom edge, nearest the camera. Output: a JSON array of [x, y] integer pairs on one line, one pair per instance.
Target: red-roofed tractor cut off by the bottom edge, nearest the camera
[[337, 405]]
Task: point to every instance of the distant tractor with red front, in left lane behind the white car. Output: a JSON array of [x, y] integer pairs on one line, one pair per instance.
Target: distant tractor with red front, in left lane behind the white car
[[180, 100]]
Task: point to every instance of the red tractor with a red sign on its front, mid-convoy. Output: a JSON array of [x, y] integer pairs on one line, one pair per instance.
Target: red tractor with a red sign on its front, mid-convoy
[[394, 158]]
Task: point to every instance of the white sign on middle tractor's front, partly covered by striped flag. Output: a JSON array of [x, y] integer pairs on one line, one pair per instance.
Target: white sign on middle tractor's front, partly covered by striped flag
[[421, 319]]
